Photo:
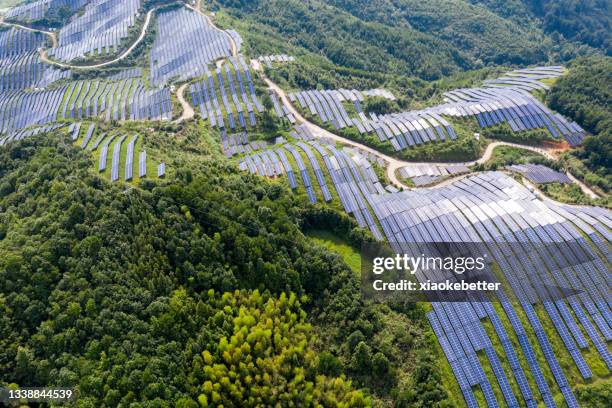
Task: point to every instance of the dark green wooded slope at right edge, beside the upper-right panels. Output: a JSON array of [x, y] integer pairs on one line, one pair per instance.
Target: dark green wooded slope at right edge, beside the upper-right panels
[[584, 95]]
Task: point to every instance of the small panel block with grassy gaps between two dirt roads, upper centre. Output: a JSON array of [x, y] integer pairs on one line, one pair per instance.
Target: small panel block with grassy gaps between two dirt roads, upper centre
[[227, 98]]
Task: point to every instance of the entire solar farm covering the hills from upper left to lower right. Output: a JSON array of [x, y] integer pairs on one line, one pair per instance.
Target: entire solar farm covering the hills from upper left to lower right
[[518, 349]]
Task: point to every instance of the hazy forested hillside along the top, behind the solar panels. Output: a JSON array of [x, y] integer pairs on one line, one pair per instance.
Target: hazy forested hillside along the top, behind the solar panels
[[428, 39]]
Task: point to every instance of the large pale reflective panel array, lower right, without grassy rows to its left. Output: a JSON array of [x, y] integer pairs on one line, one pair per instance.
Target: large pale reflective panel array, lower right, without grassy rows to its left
[[495, 209]]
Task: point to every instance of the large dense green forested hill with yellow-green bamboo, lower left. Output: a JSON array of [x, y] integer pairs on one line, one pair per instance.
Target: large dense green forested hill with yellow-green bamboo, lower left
[[120, 292]]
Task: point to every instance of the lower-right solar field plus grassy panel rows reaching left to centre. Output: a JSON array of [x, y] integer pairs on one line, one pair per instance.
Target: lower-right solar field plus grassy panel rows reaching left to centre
[[550, 250]]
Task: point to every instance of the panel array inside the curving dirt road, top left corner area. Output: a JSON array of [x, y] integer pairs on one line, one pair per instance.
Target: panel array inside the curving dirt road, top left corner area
[[97, 31]]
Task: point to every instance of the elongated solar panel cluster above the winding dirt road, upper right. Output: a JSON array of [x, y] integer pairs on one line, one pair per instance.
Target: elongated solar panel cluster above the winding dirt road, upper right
[[506, 100]]
